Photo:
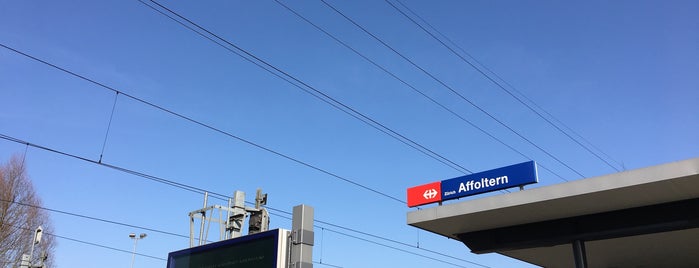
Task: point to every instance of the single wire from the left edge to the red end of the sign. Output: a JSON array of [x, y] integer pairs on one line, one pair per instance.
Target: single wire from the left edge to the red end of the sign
[[210, 127]]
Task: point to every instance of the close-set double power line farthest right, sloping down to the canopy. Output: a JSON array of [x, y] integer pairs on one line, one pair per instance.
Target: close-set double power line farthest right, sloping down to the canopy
[[493, 80]]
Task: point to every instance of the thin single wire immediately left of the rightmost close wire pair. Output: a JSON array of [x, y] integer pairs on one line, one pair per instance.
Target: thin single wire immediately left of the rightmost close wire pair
[[450, 88]]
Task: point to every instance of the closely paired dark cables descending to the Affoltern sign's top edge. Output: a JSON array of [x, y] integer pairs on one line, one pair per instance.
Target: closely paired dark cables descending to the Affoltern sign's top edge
[[305, 87]]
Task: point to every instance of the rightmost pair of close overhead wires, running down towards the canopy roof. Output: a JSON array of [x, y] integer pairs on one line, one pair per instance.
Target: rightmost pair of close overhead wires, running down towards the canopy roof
[[493, 80]]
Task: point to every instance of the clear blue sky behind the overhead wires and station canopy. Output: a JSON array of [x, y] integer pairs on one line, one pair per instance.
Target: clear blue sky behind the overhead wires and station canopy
[[622, 74]]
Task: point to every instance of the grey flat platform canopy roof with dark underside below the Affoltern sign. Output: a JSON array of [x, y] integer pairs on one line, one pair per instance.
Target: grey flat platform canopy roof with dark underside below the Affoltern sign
[[647, 217]]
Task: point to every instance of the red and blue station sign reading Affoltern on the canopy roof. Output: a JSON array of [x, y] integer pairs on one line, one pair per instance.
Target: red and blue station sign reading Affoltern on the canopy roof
[[472, 184]]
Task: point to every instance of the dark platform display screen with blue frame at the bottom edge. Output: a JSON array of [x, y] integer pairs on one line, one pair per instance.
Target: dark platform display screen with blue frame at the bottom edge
[[261, 250]]
